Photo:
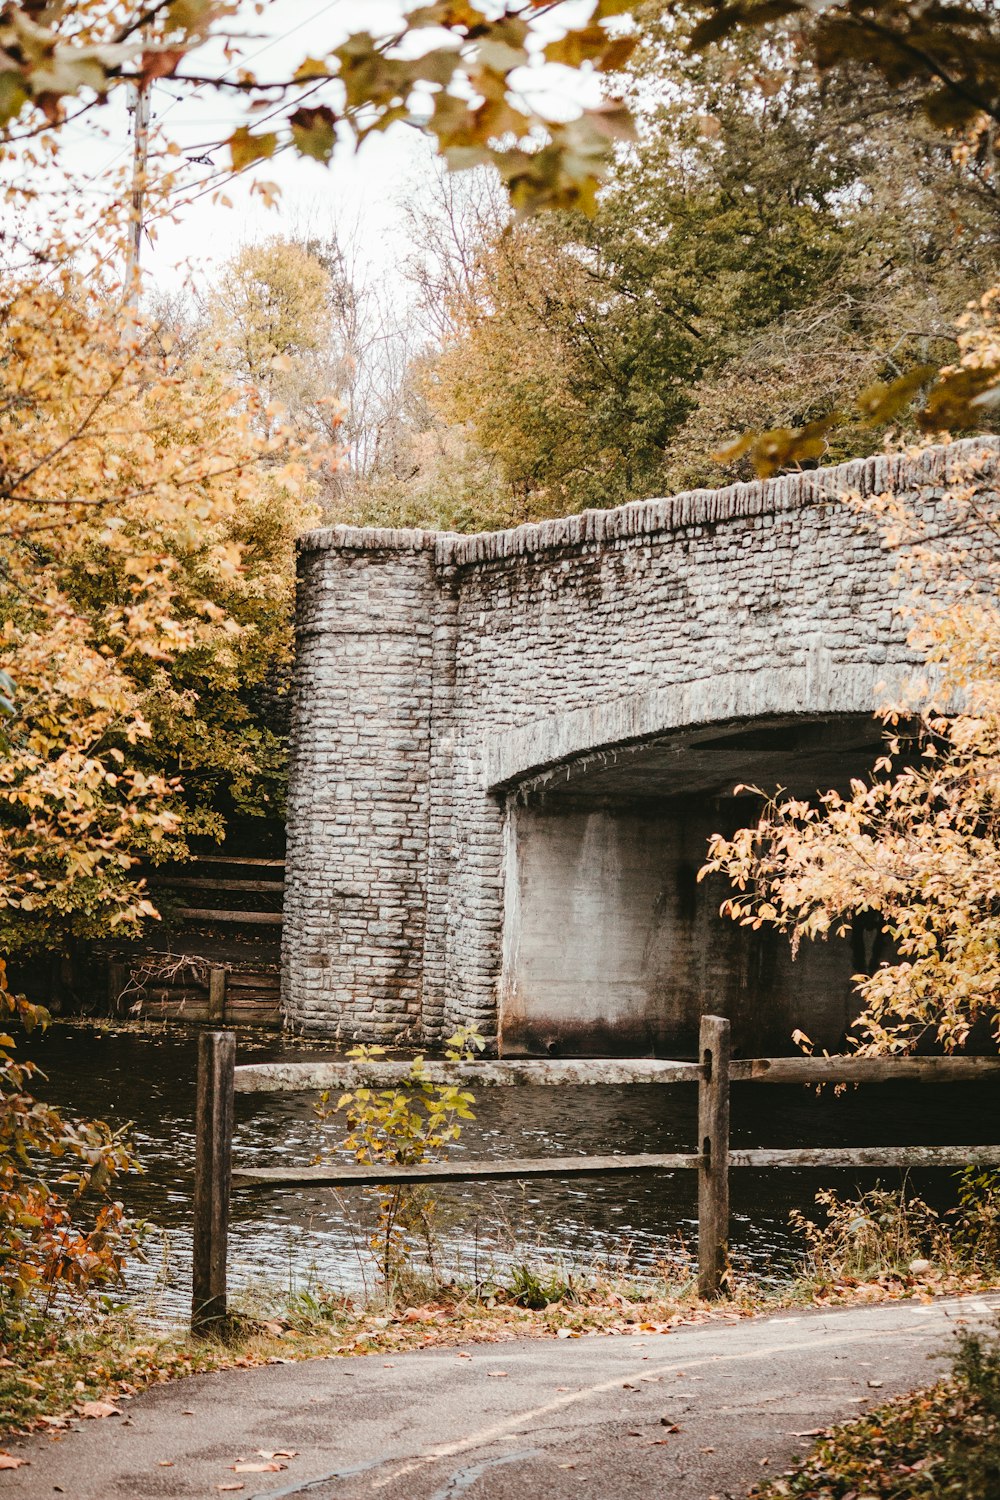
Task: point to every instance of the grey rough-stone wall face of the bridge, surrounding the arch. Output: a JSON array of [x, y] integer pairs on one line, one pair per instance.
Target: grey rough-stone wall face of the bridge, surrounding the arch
[[445, 682]]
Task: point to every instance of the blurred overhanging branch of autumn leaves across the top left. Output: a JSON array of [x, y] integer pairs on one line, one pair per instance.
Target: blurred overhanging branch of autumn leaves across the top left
[[452, 70]]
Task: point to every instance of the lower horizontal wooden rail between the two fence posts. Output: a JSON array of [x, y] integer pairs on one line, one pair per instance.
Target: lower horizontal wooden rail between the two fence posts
[[374, 1177]]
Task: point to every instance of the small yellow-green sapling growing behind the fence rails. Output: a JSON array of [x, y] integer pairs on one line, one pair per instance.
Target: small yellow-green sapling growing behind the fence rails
[[406, 1127]]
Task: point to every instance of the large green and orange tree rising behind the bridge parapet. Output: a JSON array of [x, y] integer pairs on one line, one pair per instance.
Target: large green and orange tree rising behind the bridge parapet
[[767, 251]]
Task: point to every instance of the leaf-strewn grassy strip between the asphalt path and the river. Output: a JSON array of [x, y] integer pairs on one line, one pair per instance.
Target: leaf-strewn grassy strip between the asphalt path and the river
[[53, 1373]]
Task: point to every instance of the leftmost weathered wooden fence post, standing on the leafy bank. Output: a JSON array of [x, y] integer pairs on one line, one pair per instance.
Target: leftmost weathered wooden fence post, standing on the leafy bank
[[214, 1159]]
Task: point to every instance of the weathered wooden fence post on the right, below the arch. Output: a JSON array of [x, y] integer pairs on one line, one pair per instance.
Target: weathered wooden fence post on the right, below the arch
[[714, 1048]]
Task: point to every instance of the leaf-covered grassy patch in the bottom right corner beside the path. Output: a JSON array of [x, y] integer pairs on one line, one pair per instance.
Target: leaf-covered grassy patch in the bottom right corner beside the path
[[942, 1444]]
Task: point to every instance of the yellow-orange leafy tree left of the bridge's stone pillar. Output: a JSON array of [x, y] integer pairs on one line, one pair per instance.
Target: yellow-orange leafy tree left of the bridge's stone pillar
[[143, 512]]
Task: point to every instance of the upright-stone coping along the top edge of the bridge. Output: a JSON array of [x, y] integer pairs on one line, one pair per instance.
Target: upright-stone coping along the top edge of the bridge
[[698, 508]]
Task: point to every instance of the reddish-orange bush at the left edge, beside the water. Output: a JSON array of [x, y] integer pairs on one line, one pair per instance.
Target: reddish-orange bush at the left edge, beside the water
[[52, 1169]]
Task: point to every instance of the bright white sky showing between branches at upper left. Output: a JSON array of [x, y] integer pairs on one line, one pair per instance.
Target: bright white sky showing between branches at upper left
[[359, 193]]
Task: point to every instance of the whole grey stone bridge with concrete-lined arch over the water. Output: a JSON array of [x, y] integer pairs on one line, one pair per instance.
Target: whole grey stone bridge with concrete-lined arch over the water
[[510, 751]]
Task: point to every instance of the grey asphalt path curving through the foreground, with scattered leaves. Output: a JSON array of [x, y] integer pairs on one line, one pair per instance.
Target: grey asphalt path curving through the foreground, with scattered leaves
[[687, 1415]]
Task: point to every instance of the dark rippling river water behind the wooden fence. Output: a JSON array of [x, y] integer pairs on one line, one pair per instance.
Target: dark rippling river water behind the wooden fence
[[290, 1238]]
